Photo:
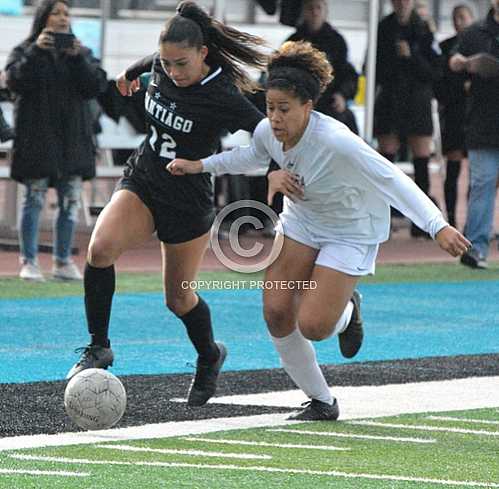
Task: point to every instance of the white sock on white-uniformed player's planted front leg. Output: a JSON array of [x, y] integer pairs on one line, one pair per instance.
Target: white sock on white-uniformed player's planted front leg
[[300, 363]]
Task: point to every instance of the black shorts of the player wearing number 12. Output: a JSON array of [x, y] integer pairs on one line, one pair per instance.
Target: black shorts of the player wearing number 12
[[172, 225]]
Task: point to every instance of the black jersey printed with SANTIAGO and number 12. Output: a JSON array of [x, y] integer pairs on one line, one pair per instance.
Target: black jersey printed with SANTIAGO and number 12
[[187, 122]]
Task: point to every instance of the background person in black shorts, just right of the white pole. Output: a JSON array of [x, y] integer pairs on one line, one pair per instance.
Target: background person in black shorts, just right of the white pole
[[407, 65]]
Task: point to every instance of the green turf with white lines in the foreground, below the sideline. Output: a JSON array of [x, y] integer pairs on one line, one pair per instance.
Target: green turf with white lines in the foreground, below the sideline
[[457, 449]]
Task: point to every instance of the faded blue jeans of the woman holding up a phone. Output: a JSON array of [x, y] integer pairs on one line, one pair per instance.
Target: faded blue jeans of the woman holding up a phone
[[68, 199]]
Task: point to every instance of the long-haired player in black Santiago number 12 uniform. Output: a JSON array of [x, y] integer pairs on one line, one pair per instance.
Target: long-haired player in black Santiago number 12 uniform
[[193, 95]]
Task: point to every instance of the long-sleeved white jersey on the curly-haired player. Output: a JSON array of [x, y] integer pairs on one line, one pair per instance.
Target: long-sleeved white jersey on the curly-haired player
[[348, 186]]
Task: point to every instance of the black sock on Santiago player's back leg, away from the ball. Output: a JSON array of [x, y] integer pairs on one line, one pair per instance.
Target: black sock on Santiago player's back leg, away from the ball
[[198, 324]]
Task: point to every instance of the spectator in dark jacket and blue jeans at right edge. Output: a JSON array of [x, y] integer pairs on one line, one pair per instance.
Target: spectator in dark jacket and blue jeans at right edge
[[478, 55]]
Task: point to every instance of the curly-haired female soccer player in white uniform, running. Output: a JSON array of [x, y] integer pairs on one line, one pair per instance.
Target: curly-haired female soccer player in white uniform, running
[[338, 193]]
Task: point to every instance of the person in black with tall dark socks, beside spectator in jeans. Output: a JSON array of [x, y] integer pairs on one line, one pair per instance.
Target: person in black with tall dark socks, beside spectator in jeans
[[452, 94]]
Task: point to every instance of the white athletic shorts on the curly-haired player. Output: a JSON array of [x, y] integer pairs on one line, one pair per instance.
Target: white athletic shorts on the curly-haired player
[[350, 258]]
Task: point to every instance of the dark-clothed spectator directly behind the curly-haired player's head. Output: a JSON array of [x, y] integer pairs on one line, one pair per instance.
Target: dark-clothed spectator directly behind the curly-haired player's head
[[316, 30]]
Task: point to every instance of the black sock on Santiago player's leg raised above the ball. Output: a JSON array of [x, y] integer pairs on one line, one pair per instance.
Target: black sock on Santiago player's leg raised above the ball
[[99, 289]]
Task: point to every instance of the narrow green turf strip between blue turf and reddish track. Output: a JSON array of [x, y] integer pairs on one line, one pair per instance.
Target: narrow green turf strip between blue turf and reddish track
[[11, 288]]
